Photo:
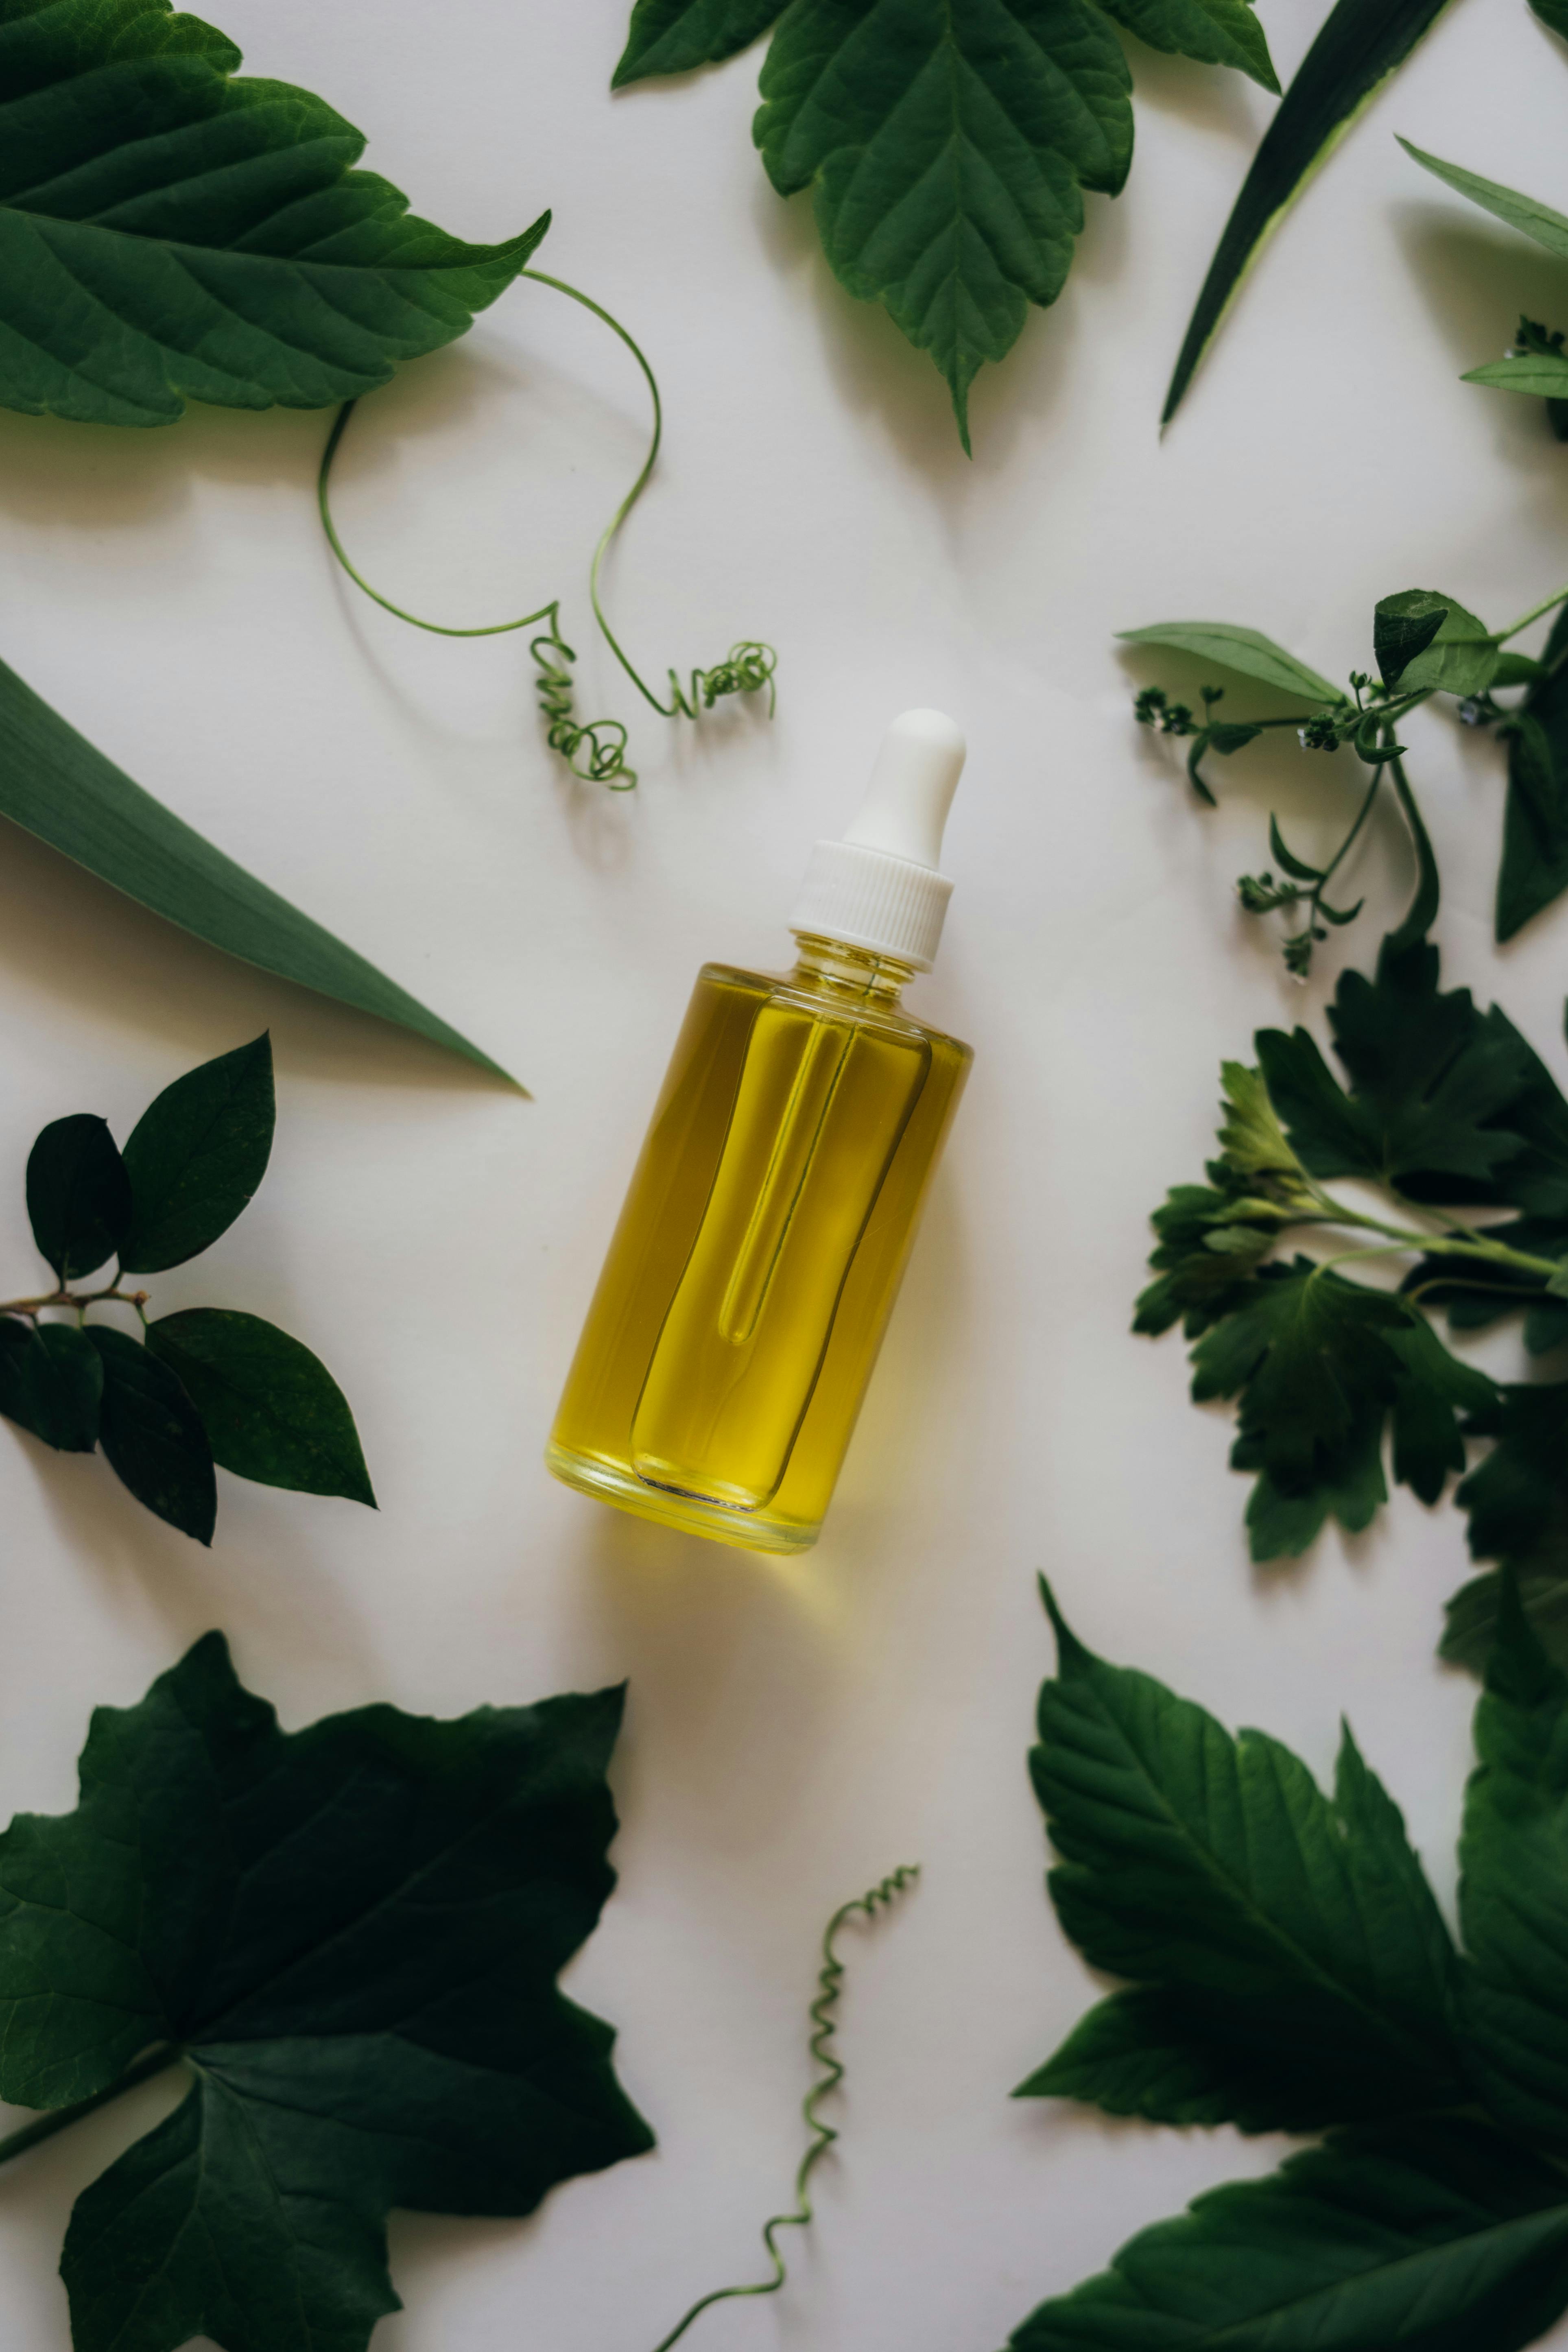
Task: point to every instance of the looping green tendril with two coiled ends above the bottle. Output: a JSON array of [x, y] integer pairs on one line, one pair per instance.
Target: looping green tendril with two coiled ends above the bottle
[[594, 749]]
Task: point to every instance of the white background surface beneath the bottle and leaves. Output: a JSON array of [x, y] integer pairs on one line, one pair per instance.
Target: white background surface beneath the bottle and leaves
[[793, 1730]]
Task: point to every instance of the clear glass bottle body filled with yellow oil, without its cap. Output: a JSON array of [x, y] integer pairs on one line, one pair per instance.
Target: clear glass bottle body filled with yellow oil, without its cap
[[760, 1250]]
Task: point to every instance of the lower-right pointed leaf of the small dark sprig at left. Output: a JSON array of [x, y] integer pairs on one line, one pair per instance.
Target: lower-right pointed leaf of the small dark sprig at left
[[272, 1410]]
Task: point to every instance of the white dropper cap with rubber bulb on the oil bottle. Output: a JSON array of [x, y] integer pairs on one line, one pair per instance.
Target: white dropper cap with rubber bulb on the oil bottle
[[880, 888]]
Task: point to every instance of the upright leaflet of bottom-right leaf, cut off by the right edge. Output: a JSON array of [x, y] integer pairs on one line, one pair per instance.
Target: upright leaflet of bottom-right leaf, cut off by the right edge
[[1515, 1885]]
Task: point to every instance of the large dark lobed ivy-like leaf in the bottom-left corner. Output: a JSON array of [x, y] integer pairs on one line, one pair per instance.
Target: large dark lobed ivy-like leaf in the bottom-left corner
[[349, 1937]]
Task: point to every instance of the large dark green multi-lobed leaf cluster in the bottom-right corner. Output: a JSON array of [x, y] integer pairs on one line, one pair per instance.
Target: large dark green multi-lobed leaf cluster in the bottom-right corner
[[1287, 1970]]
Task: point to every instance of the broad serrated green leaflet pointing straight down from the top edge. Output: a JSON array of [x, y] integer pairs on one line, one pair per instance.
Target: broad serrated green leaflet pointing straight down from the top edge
[[946, 149]]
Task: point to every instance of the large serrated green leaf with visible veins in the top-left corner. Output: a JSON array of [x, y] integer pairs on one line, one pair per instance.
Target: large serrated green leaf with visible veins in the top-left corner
[[173, 234]]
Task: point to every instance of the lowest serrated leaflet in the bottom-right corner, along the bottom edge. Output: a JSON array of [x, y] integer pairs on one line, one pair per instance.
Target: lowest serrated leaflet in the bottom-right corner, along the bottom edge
[[1438, 2238]]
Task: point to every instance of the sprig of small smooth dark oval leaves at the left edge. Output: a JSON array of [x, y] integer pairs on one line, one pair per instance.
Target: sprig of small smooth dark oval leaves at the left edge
[[196, 1389]]
